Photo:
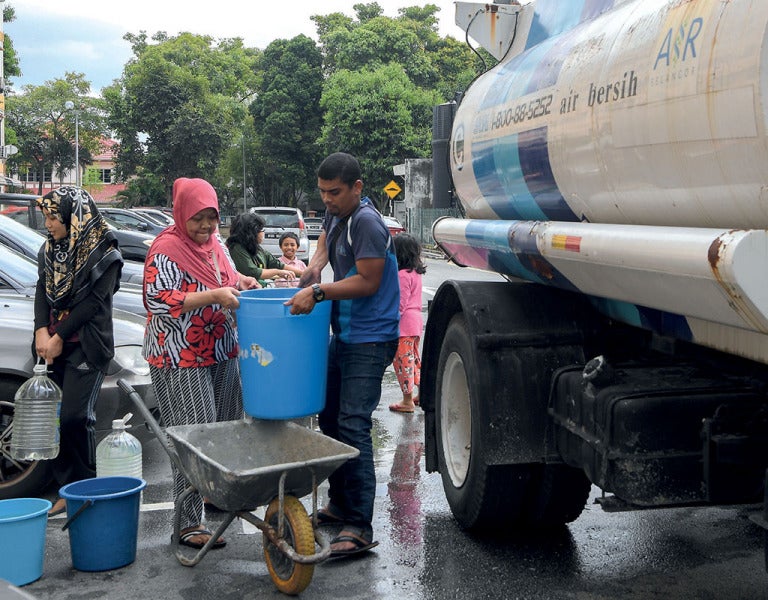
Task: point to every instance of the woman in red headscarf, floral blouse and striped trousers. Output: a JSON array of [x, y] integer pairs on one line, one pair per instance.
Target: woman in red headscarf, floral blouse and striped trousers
[[190, 291]]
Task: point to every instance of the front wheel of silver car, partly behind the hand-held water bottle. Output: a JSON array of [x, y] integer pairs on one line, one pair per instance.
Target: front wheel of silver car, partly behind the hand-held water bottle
[[17, 478]]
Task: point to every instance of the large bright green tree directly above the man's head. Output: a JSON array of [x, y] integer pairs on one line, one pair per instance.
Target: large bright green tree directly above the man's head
[[385, 76]]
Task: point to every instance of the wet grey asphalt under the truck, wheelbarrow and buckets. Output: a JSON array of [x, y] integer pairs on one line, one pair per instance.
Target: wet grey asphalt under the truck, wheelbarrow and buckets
[[690, 553]]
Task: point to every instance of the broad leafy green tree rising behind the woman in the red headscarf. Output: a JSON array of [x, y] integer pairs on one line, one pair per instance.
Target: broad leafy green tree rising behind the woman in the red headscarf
[[174, 109]]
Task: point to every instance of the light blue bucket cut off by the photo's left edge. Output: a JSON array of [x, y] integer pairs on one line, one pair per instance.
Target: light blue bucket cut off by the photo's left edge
[[22, 539]]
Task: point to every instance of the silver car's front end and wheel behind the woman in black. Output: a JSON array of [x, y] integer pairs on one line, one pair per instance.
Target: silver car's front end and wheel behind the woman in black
[[30, 478]]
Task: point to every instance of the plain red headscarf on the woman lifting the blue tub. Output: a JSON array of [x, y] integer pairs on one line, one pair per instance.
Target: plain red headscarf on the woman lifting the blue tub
[[190, 196]]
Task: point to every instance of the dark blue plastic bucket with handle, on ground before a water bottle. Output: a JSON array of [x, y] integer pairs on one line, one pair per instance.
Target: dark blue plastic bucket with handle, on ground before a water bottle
[[103, 521]]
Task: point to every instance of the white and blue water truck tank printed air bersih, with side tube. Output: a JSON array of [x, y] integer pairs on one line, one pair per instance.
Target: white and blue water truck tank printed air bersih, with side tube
[[619, 149]]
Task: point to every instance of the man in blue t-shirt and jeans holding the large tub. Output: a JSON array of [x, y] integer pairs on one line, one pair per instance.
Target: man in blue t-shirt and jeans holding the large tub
[[365, 323]]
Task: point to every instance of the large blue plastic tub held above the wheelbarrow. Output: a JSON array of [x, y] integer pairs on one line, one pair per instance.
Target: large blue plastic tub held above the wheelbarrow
[[283, 357]]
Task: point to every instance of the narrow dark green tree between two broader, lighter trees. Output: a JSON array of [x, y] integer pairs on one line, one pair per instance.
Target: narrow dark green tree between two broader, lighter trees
[[287, 117]]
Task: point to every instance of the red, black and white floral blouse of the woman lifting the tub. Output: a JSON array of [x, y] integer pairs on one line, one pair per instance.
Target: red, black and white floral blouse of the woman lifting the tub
[[199, 338]]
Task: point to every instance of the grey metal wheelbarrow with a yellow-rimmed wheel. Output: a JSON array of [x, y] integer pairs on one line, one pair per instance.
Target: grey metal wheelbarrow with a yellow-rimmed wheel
[[241, 465]]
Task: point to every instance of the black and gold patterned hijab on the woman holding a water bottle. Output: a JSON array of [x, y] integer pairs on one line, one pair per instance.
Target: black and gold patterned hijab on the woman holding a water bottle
[[72, 264]]
